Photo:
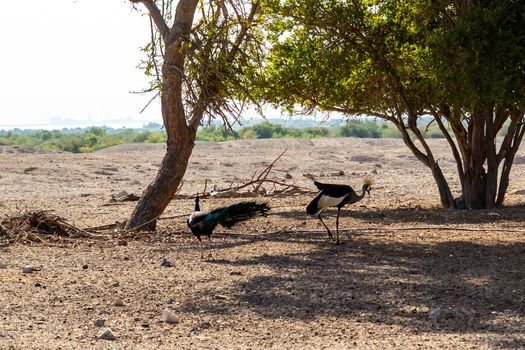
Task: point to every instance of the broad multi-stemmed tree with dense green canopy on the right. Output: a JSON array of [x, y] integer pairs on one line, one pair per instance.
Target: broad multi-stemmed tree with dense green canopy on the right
[[459, 62]]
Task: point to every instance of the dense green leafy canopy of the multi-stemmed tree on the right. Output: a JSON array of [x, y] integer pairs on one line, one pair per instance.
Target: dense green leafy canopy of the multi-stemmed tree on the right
[[376, 57]]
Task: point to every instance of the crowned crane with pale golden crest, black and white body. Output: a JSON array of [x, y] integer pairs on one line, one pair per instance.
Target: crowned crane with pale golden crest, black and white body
[[331, 195]]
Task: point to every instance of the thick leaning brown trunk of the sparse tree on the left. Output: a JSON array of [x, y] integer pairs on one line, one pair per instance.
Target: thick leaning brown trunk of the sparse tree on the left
[[181, 136]]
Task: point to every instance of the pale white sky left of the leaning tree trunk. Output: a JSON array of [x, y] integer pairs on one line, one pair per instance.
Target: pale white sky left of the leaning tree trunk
[[72, 60]]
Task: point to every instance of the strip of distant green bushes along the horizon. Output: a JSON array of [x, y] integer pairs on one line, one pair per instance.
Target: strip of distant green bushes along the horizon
[[95, 138]]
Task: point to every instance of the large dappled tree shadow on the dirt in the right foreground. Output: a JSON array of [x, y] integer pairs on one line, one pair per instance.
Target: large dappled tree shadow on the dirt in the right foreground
[[470, 287]]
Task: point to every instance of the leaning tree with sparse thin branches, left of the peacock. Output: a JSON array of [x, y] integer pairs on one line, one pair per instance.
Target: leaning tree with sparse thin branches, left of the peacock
[[197, 65]]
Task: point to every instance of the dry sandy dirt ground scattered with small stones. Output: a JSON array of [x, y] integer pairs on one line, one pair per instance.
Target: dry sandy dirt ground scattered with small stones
[[408, 275]]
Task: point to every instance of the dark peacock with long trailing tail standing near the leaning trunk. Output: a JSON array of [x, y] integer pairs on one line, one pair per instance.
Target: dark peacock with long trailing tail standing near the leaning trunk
[[203, 223]]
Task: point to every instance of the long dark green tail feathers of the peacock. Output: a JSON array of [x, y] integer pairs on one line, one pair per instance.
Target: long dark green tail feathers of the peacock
[[230, 215]]
